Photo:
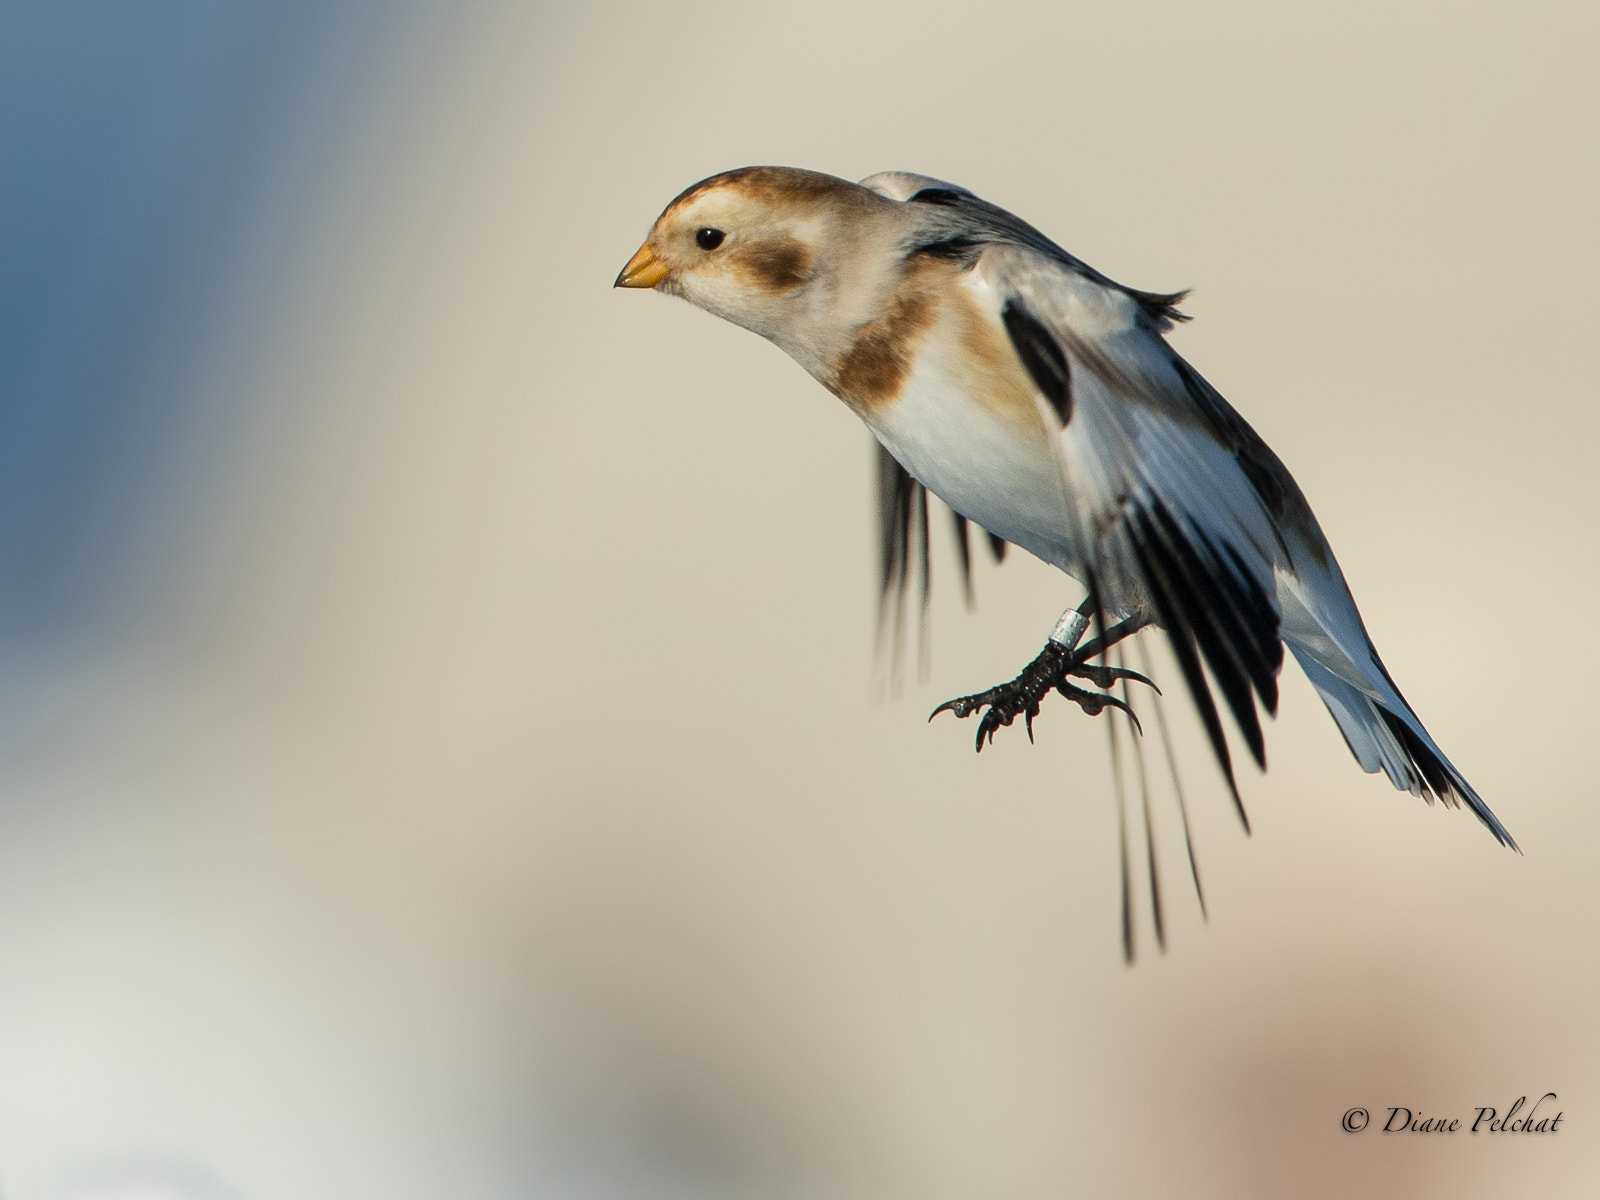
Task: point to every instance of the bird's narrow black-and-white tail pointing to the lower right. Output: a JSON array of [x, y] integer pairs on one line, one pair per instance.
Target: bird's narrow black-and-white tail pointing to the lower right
[[1386, 735]]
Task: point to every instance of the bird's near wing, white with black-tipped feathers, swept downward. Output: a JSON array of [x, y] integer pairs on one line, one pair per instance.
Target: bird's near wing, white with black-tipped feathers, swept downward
[[1178, 503]]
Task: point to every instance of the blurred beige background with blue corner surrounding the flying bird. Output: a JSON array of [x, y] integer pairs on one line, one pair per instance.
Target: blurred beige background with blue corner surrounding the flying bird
[[441, 751]]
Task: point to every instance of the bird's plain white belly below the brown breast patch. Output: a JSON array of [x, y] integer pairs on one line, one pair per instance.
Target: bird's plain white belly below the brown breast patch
[[993, 463]]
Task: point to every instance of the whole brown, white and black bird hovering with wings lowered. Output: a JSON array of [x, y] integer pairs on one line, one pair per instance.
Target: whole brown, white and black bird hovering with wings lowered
[[1041, 401]]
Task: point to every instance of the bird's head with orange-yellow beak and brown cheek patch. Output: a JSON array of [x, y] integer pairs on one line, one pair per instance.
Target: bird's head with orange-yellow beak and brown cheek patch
[[766, 249]]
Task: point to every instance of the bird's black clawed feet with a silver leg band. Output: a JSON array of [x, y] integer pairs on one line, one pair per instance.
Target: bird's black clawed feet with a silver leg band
[[1050, 671]]
